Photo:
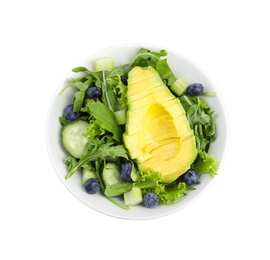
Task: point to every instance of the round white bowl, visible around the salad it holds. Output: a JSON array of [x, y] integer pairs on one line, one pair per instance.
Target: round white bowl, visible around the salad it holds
[[182, 67]]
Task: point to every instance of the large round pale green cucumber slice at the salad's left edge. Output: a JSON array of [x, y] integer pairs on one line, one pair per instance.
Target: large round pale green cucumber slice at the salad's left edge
[[73, 137]]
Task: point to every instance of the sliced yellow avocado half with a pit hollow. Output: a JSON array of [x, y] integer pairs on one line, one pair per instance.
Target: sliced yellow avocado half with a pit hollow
[[158, 135]]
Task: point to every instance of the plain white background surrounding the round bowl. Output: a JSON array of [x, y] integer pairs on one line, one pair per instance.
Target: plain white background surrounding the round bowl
[[42, 40]]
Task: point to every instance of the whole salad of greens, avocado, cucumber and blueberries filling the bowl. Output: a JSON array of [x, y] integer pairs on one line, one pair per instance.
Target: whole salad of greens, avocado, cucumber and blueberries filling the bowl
[[124, 119]]
